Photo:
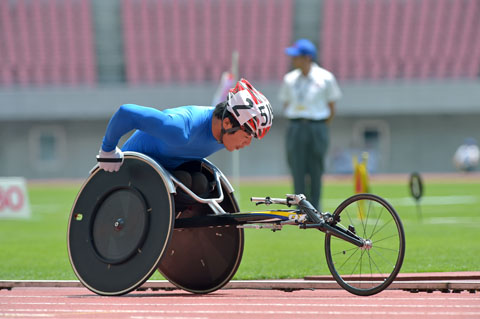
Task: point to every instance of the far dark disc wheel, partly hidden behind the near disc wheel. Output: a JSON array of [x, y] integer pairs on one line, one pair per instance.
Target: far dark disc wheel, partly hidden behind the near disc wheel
[[203, 259]]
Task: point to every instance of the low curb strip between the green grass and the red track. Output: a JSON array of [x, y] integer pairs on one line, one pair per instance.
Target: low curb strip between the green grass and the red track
[[420, 282]]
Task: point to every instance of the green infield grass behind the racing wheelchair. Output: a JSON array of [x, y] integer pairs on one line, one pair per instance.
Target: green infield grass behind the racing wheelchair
[[442, 234]]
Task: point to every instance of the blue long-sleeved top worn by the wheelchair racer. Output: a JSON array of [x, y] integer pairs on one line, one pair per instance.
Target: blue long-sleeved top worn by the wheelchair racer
[[171, 137]]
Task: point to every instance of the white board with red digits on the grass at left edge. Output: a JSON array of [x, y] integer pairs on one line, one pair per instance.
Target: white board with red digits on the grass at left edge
[[14, 201]]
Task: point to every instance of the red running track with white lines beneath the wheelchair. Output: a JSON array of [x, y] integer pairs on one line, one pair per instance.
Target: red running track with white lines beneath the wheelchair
[[236, 303]]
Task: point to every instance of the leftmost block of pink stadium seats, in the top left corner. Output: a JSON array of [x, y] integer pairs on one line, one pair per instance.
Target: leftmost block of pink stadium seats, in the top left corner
[[46, 43]]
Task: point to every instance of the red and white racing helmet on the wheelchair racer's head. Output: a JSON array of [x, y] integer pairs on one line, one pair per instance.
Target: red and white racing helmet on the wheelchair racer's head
[[250, 107]]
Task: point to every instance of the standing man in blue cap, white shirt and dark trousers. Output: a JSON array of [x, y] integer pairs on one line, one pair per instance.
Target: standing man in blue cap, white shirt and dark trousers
[[309, 94]]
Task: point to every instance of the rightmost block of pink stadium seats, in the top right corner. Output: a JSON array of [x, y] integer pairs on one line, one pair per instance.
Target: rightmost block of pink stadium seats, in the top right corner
[[407, 39]]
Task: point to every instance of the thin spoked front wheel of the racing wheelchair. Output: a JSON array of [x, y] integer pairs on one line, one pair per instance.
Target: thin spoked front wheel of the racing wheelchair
[[369, 269]]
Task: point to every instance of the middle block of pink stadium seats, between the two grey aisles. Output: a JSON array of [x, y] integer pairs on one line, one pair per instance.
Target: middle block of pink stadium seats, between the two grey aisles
[[193, 41]]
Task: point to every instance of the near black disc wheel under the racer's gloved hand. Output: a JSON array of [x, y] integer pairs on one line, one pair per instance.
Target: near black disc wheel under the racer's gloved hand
[[120, 226]]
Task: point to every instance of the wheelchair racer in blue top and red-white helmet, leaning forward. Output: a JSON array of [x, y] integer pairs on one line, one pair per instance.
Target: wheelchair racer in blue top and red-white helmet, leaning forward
[[178, 135]]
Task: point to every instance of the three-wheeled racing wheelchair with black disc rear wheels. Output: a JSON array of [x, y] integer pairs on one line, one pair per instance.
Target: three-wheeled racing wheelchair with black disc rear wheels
[[124, 226]]
